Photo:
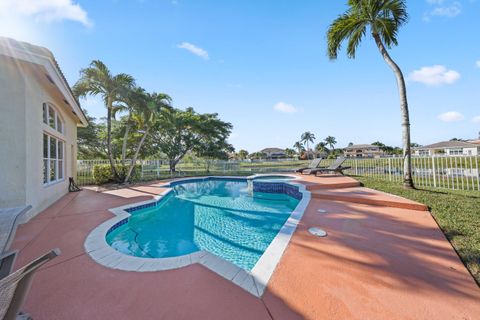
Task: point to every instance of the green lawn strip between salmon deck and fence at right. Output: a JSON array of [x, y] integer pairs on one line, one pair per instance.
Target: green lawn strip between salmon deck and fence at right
[[456, 211]]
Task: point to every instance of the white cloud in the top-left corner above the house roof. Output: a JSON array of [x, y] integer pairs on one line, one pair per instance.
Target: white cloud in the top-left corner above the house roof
[[45, 10]]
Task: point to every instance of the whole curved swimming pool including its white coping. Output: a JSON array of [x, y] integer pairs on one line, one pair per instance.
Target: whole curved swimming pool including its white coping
[[235, 226]]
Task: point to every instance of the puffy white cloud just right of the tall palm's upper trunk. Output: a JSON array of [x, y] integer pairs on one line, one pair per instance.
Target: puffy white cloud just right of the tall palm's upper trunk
[[434, 76]]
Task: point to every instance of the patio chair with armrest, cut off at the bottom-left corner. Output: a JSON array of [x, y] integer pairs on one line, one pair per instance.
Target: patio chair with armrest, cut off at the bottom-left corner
[[14, 286]]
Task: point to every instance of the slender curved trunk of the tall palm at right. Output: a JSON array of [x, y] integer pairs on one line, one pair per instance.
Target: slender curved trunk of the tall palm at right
[[402, 90]]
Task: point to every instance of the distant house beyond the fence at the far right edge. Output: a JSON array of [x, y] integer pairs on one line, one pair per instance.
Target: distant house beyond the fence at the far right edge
[[449, 148]]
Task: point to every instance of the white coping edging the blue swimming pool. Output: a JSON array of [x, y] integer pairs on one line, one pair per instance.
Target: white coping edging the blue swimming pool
[[254, 281]]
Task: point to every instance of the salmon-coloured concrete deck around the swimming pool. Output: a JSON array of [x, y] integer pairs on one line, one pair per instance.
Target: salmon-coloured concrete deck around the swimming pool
[[377, 262]]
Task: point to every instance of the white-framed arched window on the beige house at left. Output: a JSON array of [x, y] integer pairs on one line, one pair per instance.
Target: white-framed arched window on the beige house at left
[[53, 146]]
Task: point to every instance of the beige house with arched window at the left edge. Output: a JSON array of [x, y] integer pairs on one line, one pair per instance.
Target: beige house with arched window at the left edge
[[38, 127]]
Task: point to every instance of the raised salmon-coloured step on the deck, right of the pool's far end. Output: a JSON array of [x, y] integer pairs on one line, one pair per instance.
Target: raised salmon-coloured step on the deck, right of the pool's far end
[[368, 196]]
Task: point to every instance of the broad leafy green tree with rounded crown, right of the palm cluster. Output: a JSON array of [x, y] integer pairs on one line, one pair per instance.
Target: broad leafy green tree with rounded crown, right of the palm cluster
[[176, 132]]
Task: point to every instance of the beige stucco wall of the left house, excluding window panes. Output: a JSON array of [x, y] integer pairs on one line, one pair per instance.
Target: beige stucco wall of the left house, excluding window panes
[[24, 143]]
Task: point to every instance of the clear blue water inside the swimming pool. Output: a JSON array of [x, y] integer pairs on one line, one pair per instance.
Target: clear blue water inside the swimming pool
[[220, 216]]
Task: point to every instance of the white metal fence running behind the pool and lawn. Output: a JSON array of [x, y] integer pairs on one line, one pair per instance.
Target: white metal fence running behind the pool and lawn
[[452, 172]]
